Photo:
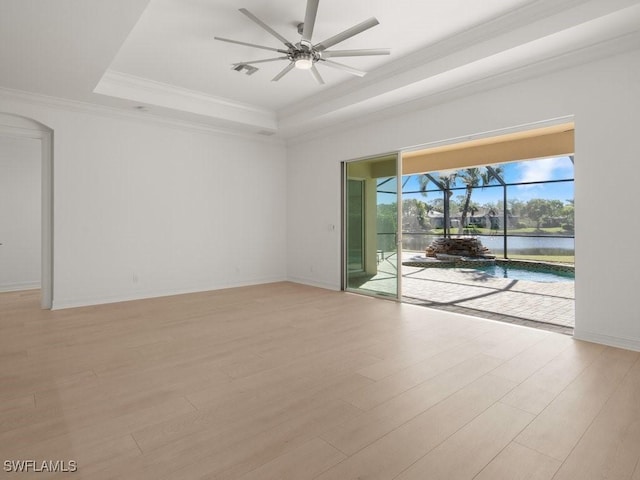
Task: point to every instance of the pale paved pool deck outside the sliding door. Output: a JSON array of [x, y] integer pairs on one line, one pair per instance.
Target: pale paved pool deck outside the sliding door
[[471, 292]]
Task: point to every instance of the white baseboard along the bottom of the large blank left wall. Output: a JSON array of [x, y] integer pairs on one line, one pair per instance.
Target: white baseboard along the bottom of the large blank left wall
[[60, 304]]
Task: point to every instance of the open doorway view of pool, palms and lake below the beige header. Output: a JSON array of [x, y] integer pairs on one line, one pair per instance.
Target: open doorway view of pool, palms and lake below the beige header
[[503, 249]]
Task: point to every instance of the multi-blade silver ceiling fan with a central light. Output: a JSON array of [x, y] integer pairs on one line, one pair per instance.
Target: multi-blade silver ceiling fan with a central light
[[304, 55]]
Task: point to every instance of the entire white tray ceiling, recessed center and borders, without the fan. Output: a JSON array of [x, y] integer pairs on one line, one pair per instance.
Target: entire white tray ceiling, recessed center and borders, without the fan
[[161, 54]]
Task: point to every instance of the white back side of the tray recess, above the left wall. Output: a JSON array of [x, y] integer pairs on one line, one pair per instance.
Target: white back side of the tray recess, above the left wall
[[150, 92]]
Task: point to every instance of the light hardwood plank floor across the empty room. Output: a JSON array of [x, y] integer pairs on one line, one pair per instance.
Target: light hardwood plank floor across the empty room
[[284, 381]]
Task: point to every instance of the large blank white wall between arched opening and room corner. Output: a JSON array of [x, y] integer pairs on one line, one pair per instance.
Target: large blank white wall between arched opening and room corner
[[144, 209]]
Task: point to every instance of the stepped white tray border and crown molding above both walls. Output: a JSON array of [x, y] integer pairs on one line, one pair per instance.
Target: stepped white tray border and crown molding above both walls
[[541, 36]]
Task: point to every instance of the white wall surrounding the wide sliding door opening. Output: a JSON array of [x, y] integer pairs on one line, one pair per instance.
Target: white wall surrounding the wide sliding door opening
[[604, 97]]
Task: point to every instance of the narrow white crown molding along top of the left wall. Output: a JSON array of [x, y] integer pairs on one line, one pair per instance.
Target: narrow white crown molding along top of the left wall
[[39, 100]]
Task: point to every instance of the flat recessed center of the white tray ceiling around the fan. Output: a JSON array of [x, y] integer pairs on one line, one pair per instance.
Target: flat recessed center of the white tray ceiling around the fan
[[173, 41]]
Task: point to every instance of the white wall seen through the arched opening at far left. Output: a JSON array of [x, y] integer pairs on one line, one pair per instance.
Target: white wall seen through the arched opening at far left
[[20, 188]]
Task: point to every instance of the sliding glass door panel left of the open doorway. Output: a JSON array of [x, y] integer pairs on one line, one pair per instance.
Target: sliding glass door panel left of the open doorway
[[371, 226]]
